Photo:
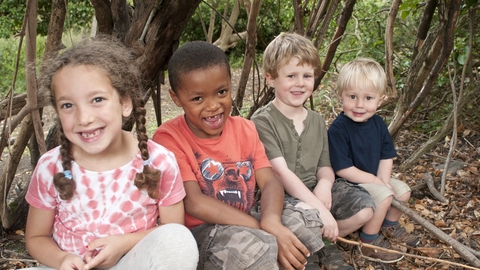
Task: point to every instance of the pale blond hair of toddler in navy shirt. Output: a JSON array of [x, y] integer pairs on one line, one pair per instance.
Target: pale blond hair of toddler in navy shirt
[[361, 72]]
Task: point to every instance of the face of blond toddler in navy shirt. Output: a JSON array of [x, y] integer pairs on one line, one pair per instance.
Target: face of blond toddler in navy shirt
[[360, 103]]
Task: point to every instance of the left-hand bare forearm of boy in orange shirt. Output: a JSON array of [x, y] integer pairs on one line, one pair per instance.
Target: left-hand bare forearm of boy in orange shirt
[[211, 210]]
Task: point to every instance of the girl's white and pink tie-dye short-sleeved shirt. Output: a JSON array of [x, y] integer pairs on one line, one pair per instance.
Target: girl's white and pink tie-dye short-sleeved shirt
[[104, 203]]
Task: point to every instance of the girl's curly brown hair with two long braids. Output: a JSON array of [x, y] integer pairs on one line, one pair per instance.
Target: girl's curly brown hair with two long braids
[[116, 61]]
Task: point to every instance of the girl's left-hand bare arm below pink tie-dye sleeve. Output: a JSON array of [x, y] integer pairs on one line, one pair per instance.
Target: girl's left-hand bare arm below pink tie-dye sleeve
[[40, 244]]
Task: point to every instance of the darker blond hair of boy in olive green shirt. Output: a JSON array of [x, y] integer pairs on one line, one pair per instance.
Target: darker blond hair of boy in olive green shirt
[[286, 46]]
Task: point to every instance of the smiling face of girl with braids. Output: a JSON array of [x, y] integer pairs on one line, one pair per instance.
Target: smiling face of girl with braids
[[90, 110]]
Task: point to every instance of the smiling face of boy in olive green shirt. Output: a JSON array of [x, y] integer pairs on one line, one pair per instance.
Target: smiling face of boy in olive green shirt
[[294, 83]]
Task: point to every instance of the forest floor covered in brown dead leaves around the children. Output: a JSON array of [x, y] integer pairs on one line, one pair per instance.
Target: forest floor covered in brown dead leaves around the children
[[459, 218]]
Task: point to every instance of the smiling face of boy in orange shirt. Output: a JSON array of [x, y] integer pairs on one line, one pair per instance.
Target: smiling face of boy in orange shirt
[[205, 96]]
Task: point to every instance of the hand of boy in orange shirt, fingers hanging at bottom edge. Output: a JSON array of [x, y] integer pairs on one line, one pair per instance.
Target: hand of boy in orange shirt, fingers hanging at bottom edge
[[291, 252]]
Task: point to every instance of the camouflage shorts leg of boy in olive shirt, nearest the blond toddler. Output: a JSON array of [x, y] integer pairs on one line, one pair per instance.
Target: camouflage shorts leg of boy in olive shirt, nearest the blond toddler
[[348, 199]]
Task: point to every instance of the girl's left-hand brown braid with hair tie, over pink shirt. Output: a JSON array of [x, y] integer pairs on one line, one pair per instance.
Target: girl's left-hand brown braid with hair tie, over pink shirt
[[65, 186]]
